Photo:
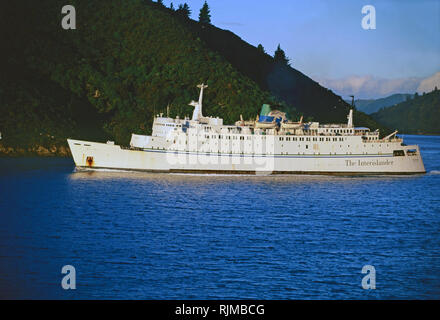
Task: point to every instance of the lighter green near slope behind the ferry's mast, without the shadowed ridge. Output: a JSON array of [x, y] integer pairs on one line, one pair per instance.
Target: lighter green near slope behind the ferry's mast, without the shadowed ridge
[[125, 61]]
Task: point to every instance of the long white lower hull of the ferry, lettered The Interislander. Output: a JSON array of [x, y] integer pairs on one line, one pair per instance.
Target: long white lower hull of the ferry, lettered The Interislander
[[92, 156]]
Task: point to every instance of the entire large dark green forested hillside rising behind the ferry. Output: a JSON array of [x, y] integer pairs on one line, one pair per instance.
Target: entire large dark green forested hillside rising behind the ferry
[[126, 61]]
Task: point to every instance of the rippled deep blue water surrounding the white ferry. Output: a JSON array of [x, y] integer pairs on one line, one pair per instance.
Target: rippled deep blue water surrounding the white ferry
[[155, 236]]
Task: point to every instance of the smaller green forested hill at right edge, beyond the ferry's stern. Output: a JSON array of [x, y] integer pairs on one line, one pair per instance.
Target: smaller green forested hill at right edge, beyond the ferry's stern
[[420, 115]]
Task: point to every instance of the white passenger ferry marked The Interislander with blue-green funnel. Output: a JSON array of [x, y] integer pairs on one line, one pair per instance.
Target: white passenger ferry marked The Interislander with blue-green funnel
[[271, 144]]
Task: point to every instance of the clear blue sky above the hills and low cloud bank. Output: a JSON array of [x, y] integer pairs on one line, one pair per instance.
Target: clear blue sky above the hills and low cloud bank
[[324, 39]]
